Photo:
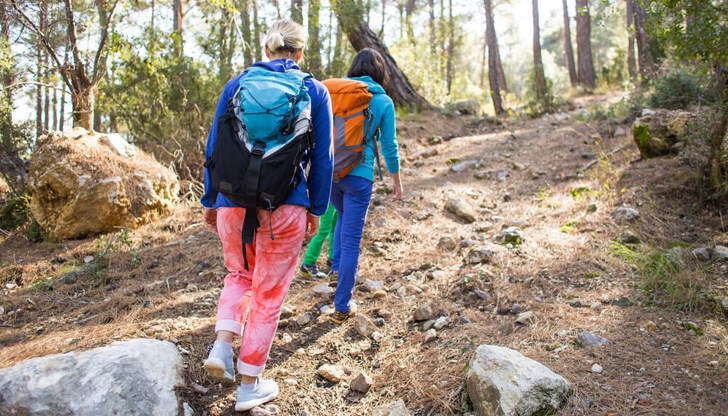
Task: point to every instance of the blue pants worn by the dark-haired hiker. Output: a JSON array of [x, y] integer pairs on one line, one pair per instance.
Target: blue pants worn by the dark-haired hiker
[[350, 196]]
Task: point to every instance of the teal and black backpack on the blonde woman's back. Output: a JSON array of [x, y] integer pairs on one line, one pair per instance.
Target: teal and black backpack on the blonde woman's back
[[262, 139]]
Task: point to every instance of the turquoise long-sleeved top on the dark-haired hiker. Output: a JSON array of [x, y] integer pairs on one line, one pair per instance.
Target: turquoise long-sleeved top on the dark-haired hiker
[[382, 109]]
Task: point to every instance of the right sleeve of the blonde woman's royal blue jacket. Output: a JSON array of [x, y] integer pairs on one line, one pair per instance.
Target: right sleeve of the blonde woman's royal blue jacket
[[322, 154]]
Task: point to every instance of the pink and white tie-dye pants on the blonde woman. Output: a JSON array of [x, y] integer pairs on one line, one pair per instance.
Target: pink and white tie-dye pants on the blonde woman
[[259, 292]]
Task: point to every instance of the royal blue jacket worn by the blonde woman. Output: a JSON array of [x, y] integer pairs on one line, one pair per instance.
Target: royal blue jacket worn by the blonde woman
[[313, 191]]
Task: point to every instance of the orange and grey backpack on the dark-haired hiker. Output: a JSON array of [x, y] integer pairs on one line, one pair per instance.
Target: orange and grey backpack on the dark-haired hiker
[[352, 120]]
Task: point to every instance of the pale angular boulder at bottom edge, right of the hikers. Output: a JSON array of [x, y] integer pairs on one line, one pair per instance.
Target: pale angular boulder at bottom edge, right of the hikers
[[503, 382]]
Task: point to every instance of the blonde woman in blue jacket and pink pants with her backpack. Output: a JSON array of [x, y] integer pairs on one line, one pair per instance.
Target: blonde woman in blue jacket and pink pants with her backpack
[[260, 272]]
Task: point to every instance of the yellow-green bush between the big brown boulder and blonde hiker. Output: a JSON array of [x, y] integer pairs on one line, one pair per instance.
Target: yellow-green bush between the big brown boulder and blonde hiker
[[165, 104]]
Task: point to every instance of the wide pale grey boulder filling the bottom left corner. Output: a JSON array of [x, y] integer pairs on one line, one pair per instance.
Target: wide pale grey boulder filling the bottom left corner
[[136, 377]]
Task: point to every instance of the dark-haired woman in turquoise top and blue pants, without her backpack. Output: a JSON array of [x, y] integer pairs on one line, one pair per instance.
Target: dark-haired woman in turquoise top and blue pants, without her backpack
[[352, 193]]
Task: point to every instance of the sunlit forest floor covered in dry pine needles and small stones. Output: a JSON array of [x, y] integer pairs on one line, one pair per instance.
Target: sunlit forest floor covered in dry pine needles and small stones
[[162, 280]]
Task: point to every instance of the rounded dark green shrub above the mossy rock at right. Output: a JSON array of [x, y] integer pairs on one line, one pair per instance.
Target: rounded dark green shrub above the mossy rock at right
[[682, 87]]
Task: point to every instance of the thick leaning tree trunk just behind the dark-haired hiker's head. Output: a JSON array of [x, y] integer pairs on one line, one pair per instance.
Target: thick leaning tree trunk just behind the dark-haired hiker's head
[[361, 36]]
